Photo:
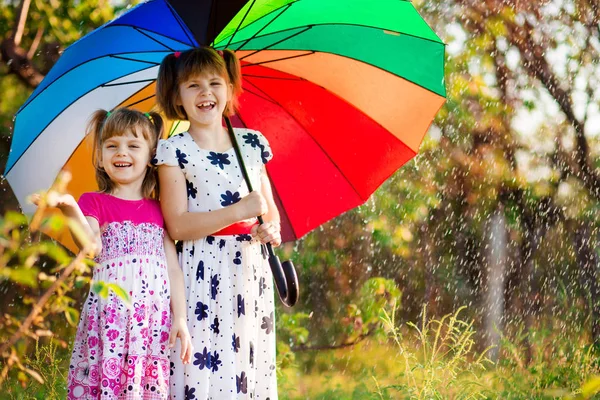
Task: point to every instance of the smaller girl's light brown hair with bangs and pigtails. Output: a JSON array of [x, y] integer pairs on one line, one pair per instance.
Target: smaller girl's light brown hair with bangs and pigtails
[[103, 125]]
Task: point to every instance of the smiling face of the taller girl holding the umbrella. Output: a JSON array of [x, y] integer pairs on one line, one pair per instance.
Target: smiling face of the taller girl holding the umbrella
[[204, 97]]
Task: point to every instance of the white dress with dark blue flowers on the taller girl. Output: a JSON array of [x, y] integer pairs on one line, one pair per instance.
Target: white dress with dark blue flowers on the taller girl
[[228, 281]]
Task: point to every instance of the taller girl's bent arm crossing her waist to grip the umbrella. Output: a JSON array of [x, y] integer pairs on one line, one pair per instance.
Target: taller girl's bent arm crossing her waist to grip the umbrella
[[185, 225]]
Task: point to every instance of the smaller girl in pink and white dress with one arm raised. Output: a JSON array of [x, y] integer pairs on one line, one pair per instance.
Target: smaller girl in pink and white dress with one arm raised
[[123, 352]]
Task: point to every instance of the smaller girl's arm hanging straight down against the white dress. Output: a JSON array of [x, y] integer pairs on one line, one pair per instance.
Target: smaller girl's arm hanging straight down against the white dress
[[178, 307]]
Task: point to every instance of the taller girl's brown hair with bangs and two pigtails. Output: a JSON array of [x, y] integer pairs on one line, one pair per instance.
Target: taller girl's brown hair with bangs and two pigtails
[[179, 67]]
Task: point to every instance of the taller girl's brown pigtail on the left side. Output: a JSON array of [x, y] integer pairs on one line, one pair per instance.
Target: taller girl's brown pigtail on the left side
[[167, 90]]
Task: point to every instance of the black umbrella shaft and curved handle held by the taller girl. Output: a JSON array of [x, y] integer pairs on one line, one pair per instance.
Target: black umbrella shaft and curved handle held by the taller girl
[[284, 275]]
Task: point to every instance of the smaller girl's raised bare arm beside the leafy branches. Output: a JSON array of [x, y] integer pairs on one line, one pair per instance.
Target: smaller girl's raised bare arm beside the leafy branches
[[69, 207]]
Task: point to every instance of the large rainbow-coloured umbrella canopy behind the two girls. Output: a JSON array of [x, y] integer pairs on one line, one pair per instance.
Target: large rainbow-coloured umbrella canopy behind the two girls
[[343, 91]]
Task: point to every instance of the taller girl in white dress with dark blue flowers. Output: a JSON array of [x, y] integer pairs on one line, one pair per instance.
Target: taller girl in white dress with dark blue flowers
[[206, 205]]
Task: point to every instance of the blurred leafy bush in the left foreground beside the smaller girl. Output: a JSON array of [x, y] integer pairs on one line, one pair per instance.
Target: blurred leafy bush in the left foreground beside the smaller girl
[[40, 278]]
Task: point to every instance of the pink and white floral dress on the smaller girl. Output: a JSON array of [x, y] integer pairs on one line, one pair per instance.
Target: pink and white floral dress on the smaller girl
[[122, 352]]
